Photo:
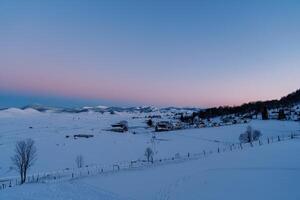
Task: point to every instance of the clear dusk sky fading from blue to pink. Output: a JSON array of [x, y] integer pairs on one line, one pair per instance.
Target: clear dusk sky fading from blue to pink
[[139, 52]]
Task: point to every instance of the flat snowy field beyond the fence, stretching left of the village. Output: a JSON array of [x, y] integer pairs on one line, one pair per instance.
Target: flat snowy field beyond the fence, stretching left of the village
[[56, 152]]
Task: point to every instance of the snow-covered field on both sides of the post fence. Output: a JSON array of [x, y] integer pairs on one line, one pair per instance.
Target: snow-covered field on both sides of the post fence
[[266, 172]]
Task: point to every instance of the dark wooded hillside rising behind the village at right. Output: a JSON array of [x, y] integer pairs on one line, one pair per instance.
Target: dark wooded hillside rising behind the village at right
[[252, 107]]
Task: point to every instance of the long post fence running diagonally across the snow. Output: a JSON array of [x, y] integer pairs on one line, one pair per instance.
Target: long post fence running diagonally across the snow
[[76, 173]]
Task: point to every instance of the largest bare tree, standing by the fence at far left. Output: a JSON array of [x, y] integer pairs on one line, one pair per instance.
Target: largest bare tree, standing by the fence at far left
[[24, 158]]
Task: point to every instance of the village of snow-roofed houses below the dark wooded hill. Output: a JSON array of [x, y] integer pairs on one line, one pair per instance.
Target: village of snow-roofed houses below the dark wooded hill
[[177, 121]]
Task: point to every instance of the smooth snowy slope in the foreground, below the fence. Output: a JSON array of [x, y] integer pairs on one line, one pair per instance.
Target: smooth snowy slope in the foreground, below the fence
[[266, 172]]
